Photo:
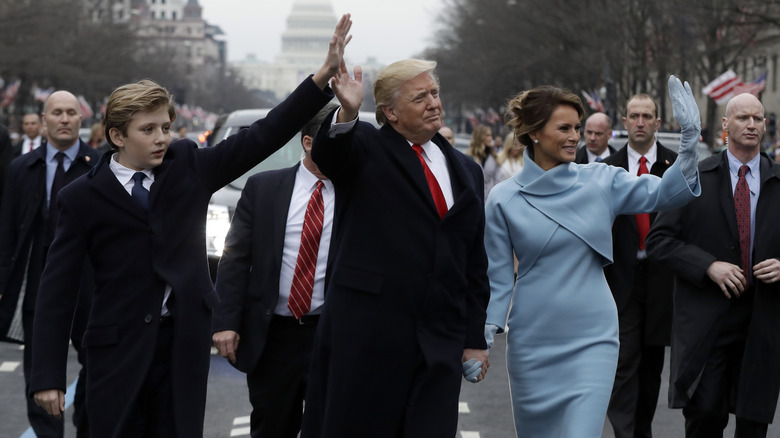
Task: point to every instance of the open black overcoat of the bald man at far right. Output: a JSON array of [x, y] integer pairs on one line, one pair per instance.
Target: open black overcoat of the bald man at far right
[[688, 241]]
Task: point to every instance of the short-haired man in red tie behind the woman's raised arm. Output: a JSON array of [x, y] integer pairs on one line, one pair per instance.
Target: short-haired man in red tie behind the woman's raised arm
[[642, 289]]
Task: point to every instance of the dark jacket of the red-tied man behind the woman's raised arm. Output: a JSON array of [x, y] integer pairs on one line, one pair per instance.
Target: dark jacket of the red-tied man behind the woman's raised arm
[[625, 241]]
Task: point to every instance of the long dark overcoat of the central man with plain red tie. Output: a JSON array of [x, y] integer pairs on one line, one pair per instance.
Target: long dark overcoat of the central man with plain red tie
[[404, 281]]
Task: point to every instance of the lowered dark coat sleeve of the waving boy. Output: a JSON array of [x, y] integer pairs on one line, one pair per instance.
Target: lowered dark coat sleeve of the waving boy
[[57, 298]]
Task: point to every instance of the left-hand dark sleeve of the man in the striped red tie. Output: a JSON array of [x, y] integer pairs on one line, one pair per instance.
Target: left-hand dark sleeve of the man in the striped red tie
[[235, 265]]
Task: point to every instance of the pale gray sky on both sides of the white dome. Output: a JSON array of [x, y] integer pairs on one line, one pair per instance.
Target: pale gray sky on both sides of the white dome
[[390, 31]]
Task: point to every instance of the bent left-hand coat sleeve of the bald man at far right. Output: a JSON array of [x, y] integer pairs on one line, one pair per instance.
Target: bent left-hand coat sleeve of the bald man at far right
[[666, 246]]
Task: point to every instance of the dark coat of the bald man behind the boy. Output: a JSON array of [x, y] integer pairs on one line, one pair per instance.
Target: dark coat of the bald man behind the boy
[[23, 237]]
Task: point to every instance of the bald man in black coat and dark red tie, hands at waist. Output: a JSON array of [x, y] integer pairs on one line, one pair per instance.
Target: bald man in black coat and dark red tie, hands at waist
[[723, 248]]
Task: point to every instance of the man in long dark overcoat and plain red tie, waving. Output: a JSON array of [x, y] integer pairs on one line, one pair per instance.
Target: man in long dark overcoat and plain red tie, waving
[[408, 291]]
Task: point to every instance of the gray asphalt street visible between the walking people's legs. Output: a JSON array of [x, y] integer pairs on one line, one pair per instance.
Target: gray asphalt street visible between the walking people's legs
[[485, 410]]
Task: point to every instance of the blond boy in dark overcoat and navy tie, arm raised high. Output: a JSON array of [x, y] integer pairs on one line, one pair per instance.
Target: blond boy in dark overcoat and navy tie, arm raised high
[[139, 217]]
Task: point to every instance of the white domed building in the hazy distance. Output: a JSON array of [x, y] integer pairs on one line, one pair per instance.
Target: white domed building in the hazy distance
[[304, 43]]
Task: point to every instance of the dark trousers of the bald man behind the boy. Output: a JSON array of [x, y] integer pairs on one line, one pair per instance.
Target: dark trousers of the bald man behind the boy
[[43, 424]]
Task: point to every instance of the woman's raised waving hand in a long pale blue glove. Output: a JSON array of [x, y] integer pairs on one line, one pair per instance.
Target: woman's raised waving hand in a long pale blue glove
[[686, 112]]
